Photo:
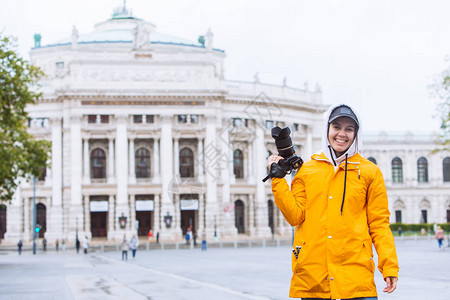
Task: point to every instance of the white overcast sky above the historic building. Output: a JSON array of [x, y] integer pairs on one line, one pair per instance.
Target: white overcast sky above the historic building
[[378, 56]]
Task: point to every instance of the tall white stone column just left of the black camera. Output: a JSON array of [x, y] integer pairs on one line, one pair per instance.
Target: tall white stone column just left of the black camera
[[262, 228]]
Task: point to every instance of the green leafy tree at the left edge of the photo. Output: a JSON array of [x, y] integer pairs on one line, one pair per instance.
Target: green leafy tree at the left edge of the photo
[[21, 155]]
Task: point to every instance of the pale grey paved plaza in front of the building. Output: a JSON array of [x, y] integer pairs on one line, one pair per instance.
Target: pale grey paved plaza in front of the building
[[219, 273]]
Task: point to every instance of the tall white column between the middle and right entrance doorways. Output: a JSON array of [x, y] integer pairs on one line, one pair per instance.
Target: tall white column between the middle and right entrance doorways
[[167, 207]]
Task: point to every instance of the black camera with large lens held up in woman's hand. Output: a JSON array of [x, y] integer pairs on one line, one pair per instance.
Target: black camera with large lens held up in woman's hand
[[286, 150]]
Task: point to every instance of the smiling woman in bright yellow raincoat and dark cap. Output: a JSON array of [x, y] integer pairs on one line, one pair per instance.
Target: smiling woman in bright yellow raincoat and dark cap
[[339, 205]]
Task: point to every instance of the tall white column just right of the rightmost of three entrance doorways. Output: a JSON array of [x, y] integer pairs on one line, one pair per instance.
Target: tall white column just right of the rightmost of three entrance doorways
[[211, 207]]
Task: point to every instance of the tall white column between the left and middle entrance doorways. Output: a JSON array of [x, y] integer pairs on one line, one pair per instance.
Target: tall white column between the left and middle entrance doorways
[[122, 173]]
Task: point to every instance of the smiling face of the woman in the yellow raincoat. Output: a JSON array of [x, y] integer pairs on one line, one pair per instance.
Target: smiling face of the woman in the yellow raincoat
[[341, 133]]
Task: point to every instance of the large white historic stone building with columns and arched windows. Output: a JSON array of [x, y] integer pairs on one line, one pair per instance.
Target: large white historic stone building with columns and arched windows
[[147, 134]]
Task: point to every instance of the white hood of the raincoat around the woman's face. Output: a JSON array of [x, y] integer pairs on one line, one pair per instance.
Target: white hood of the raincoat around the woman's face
[[354, 148]]
